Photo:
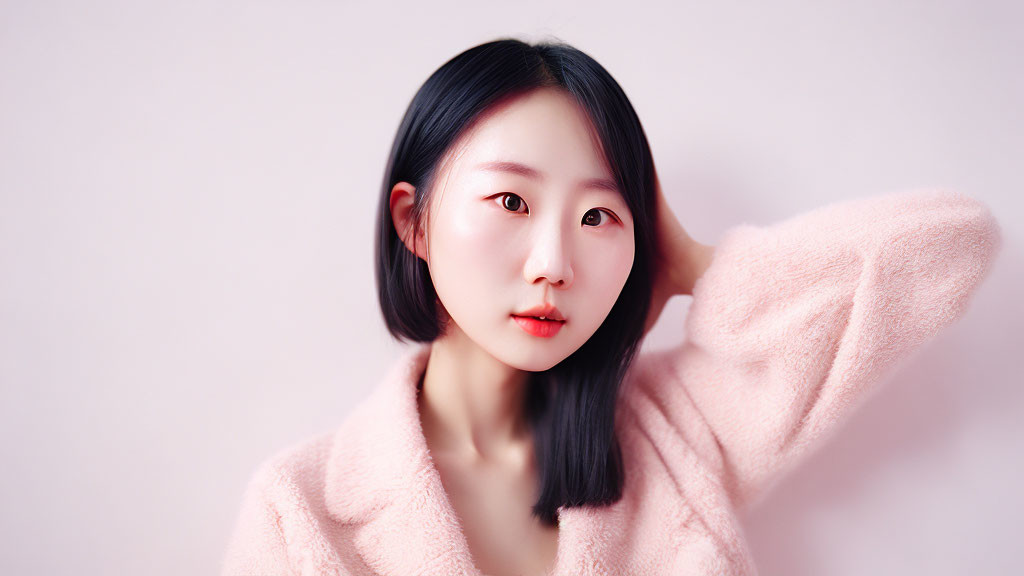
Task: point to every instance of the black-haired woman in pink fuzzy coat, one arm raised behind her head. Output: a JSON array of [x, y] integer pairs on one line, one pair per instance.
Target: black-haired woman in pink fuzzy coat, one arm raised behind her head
[[525, 244]]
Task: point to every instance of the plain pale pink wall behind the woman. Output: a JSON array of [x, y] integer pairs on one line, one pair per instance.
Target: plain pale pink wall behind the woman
[[188, 193]]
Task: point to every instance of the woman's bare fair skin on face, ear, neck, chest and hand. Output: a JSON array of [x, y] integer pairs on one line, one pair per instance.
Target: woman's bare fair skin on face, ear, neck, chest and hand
[[499, 240]]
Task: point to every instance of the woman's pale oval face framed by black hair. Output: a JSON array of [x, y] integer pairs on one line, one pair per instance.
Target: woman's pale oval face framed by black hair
[[527, 214]]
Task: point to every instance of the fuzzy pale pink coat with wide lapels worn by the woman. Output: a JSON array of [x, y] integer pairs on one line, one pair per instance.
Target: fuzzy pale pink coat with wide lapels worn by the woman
[[790, 330]]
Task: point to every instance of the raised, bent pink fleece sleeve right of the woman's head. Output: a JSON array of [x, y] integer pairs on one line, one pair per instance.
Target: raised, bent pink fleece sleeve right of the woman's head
[[794, 323]]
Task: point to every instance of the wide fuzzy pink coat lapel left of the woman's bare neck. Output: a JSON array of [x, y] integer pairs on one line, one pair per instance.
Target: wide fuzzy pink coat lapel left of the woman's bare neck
[[381, 479]]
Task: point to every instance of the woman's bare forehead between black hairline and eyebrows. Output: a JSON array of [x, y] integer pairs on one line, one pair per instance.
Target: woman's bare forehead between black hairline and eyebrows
[[545, 130]]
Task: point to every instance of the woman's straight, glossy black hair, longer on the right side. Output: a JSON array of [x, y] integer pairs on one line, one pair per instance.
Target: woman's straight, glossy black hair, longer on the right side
[[572, 406]]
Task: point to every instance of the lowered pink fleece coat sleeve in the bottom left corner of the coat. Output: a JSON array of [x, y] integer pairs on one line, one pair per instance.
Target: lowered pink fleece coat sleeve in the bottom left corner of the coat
[[258, 544]]
